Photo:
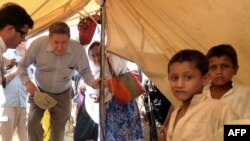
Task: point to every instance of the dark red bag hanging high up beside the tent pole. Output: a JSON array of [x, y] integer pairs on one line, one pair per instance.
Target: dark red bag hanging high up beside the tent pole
[[86, 28]]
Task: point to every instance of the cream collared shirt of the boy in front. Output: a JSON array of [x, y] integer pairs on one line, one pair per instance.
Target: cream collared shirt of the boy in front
[[202, 119]]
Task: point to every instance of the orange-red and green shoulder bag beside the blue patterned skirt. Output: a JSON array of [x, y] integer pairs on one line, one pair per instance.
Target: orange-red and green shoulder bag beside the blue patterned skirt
[[125, 87]]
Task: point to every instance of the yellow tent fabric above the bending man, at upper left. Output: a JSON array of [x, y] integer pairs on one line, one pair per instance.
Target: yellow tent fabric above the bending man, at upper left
[[45, 12]]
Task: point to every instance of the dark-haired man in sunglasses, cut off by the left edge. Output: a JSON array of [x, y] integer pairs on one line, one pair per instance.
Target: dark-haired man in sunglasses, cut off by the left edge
[[14, 25]]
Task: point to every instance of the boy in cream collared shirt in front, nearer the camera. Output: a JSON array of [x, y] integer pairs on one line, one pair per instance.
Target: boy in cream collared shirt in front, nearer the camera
[[199, 117]]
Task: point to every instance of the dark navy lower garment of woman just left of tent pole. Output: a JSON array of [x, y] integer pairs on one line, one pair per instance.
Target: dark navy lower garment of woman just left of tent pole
[[86, 128]]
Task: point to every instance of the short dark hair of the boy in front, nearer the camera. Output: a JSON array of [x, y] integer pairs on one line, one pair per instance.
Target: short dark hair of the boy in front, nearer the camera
[[190, 55]]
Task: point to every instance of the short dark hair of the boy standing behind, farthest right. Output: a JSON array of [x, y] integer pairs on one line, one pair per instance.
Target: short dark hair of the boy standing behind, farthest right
[[223, 49]]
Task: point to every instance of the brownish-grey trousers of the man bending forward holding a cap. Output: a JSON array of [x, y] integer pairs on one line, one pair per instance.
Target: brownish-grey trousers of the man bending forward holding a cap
[[59, 116]]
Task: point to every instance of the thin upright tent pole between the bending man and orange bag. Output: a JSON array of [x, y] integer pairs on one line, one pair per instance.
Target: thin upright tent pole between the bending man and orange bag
[[102, 72]]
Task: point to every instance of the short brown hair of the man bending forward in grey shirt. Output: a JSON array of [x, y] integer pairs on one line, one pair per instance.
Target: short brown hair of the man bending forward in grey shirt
[[59, 28]]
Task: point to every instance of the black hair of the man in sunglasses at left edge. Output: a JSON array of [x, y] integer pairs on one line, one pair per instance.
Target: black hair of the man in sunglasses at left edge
[[15, 15]]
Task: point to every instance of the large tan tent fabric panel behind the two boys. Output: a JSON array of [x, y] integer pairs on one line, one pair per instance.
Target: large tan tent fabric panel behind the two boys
[[150, 32]]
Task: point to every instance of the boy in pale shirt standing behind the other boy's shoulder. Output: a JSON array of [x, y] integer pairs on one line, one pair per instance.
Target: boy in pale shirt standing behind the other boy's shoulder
[[223, 65]]
